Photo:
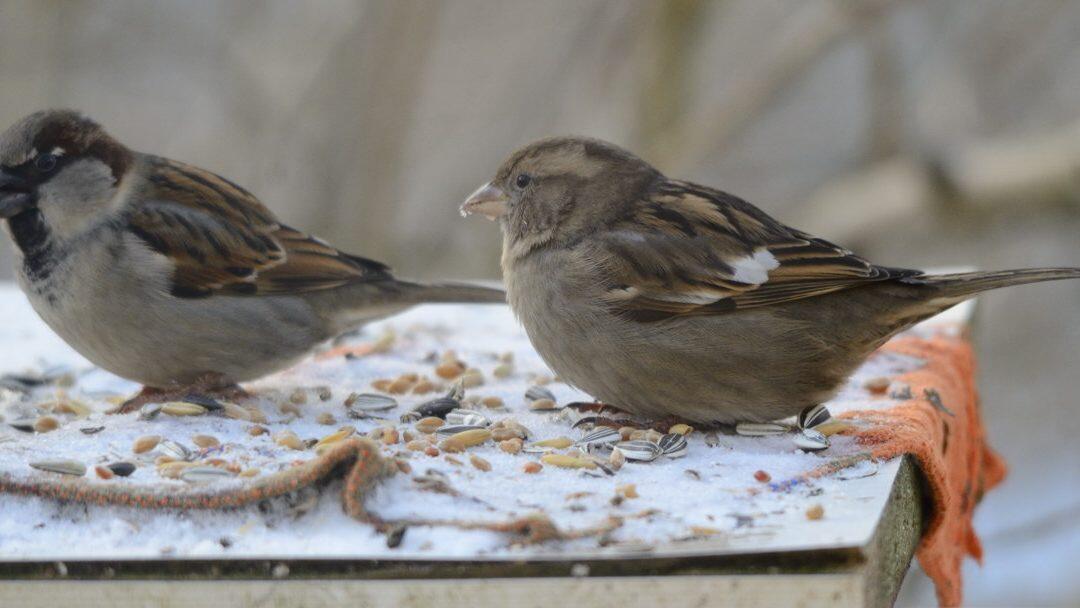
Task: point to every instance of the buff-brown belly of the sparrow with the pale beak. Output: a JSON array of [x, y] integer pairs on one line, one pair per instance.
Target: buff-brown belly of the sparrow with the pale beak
[[752, 366]]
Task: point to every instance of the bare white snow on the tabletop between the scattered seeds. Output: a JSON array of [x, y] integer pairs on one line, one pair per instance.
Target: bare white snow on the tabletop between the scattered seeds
[[710, 510]]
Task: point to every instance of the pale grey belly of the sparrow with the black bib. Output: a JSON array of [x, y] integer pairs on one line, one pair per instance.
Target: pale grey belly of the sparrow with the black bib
[[121, 318]]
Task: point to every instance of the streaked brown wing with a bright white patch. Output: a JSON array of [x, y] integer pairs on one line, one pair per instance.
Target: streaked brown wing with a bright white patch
[[690, 251]]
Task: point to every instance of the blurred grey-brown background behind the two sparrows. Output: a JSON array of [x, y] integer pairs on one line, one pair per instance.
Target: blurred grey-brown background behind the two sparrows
[[919, 133]]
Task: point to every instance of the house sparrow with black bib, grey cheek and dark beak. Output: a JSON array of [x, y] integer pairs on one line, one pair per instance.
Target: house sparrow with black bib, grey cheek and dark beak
[[171, 276]]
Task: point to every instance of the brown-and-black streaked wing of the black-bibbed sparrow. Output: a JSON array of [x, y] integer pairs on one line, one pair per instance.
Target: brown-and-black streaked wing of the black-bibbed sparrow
[[222, 240]]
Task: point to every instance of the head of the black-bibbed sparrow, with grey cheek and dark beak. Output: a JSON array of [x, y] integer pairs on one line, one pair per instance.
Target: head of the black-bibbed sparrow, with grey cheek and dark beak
[[62, 165]]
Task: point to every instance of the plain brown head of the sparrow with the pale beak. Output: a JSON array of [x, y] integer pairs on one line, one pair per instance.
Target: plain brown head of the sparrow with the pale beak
[[561, 190]]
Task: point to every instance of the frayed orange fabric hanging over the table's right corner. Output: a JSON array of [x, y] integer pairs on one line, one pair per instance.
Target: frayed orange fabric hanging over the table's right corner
[[942, 428]]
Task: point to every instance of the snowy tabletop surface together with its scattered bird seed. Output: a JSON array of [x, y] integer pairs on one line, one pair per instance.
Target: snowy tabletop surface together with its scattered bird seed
[[474, 431]]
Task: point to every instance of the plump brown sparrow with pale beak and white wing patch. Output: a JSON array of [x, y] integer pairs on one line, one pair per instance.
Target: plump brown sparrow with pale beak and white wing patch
[[671, 300]]
